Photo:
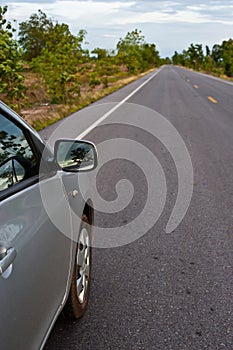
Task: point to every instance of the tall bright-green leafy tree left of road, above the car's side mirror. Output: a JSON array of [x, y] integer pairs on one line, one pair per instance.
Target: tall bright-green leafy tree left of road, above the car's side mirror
[[58, 62]]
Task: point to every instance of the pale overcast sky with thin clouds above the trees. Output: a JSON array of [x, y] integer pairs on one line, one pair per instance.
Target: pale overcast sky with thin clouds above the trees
[[171, 25]]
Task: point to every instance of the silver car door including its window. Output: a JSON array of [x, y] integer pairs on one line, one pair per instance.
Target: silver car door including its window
[[35, 256]]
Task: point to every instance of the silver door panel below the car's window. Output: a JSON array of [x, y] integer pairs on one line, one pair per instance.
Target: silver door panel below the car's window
[[40, 287]]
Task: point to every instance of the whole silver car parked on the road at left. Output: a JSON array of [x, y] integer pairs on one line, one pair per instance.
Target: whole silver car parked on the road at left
[[45, 231]]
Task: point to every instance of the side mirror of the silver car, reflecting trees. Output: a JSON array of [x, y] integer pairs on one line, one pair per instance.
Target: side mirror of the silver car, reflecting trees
[[75, 156]]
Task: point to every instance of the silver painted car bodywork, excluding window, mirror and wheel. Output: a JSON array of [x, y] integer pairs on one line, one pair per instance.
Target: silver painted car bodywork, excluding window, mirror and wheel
[[39, 220]]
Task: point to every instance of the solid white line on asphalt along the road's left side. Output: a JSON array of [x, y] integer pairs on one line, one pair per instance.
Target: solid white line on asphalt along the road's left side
[[106, 115]]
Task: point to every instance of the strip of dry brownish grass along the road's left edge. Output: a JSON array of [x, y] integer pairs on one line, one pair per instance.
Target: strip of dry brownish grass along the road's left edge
[[43, 115]]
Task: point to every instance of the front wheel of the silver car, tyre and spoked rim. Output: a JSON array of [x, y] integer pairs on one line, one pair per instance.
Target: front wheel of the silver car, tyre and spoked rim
[[81, 278]]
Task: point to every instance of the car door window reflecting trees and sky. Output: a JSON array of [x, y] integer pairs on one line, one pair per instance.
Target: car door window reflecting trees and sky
[[17, 159]]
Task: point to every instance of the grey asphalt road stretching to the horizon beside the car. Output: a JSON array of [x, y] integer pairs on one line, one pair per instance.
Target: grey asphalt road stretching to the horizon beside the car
[[164, 290]]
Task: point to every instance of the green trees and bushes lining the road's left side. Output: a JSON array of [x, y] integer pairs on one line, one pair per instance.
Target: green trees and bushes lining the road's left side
[[59, 60]]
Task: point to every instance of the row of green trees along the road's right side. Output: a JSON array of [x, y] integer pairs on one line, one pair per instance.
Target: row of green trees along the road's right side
[[218, 60]]
